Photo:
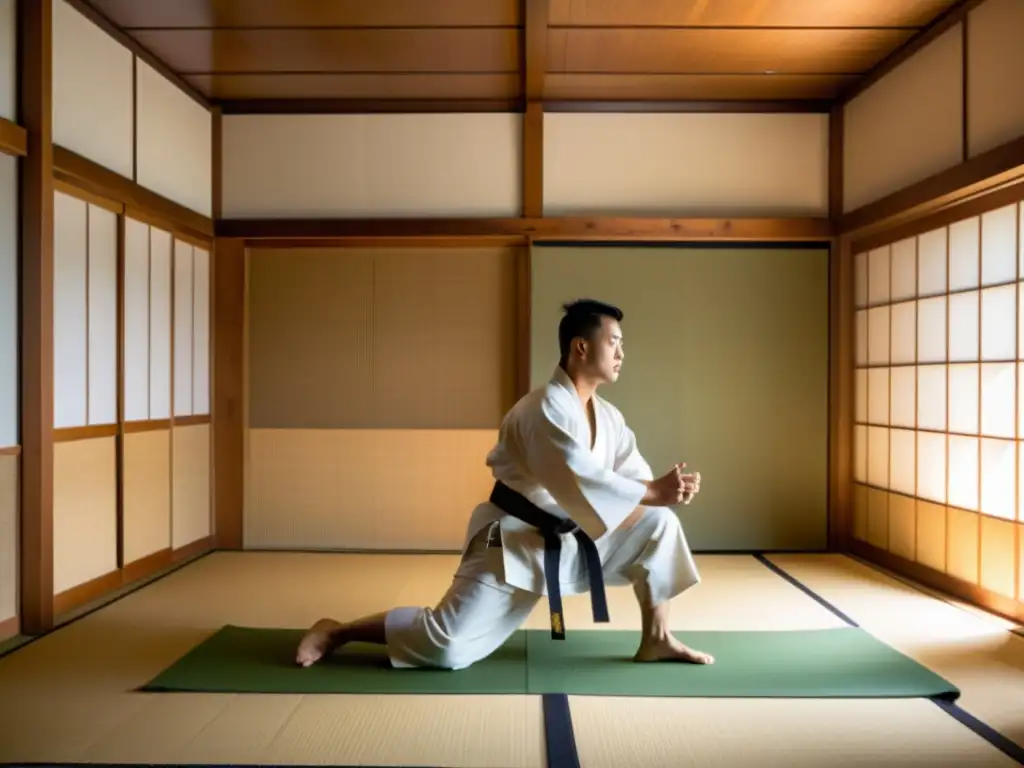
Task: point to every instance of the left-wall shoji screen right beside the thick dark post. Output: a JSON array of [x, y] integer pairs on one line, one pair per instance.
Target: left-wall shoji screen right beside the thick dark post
[[86, 413]]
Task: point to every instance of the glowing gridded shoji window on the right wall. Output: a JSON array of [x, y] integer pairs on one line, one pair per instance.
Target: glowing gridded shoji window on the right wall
[[940, 416]]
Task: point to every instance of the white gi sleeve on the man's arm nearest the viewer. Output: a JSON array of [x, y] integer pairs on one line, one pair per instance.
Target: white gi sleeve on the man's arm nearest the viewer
[[598, 499]]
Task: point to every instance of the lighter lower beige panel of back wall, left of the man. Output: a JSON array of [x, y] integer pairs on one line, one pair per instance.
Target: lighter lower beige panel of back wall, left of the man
[[403, 490]]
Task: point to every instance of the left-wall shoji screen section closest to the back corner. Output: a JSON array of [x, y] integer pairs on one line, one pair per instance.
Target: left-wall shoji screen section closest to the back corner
[[166, 392]]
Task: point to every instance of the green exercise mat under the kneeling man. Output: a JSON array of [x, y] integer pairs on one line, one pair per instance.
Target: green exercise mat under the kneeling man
[[827, 664]]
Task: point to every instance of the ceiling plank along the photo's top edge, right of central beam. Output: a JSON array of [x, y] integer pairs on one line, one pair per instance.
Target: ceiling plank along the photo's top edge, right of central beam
[[856, 14]]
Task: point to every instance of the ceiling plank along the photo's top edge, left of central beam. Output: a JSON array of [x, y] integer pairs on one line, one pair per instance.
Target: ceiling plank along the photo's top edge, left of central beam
[[132, 15]]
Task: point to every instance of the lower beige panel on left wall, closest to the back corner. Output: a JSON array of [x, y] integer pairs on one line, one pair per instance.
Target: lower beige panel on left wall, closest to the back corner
[[191, 485]]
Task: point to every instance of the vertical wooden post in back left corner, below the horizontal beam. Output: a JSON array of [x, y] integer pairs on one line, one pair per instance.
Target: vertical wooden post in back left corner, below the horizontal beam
[[229, 388]]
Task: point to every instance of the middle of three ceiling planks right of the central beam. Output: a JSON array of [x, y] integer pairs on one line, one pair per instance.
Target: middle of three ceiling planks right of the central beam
[[720, 52]]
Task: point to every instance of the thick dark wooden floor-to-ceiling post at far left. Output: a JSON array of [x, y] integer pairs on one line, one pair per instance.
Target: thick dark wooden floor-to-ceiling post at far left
[[35, 24]]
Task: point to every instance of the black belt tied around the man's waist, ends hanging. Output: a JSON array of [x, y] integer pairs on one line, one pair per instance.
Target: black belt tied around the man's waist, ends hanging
[[553, 528]]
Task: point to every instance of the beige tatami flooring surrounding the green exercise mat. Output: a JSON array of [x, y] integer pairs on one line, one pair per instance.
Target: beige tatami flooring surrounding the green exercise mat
[[69, 697]]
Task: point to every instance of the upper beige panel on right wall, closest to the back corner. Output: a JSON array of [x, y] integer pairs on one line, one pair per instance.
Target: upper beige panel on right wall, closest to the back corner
[[906, 127]]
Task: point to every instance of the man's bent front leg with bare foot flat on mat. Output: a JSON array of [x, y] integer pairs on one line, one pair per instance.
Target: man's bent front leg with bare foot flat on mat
[[653, 556]]
